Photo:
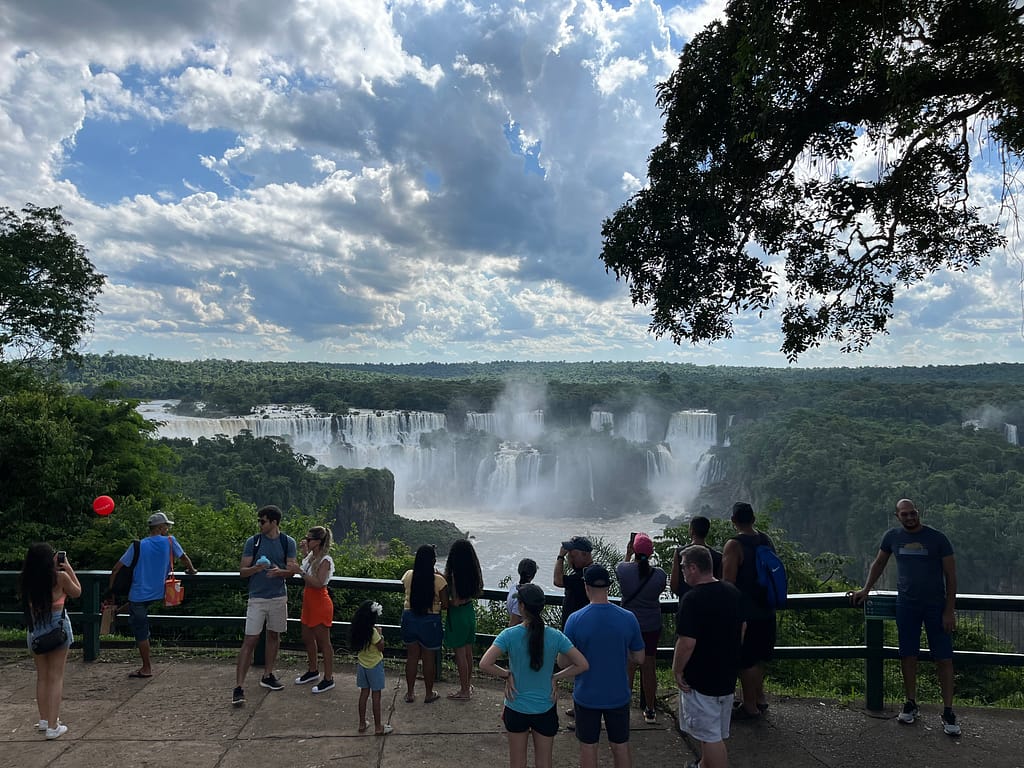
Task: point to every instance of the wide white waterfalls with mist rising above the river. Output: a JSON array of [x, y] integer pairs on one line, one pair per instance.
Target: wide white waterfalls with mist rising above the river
[[505, 460]]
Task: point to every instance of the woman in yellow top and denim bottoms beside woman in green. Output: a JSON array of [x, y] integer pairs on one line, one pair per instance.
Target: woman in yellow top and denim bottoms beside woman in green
[[426, 595]]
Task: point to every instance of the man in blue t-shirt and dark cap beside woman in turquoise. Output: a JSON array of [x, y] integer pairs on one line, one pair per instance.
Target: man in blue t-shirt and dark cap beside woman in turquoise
[[610, 639]]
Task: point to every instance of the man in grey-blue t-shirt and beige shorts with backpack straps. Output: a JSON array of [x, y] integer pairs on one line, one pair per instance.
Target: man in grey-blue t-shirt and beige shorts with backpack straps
[[268, 561]]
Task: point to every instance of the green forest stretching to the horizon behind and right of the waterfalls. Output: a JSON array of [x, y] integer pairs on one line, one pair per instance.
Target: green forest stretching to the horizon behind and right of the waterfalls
[[829, 451]]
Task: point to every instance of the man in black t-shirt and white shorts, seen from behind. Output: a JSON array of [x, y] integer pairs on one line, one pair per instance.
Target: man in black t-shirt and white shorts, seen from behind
[[709, 634]]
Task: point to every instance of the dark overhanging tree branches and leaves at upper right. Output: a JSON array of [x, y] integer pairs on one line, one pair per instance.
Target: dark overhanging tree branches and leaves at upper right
[[755, 192]]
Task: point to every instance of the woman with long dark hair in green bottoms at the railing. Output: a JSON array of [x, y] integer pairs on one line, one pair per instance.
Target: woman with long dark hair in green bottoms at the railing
[[462, 572]]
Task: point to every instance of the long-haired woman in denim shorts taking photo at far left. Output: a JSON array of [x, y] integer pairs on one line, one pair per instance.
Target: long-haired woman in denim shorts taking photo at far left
[[48, 581]]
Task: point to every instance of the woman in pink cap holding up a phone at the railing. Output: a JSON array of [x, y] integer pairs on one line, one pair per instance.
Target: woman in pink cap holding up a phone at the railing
[[642, 586]]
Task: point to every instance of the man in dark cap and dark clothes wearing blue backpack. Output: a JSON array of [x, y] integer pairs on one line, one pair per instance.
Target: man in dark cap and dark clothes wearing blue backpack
[[740, 566]]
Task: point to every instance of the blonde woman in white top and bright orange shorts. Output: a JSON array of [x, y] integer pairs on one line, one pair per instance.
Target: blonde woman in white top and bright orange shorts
[[318, 610]]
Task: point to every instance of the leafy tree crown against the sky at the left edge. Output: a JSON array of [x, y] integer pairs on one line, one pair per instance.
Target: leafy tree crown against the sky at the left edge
[[49, 287]]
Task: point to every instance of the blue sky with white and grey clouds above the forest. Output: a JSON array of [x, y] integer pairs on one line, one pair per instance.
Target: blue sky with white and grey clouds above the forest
[[403, 182]]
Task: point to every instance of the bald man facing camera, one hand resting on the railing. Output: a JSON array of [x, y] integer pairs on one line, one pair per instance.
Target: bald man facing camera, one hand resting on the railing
[[926, 594]]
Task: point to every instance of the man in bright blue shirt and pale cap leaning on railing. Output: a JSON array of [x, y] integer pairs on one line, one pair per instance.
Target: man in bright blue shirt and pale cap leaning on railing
[[155, 557]]
